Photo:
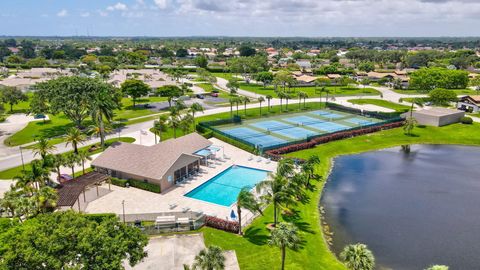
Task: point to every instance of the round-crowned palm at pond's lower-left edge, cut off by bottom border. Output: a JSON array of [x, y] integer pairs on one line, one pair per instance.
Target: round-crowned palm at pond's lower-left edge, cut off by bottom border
[[358, 257]]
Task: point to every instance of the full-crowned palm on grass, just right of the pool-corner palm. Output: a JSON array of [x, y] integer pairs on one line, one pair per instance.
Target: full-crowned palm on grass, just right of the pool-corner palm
[[275, 190]]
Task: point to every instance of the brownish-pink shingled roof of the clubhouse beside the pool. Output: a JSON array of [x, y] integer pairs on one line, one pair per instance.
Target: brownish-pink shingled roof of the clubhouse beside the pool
[[150, 161]]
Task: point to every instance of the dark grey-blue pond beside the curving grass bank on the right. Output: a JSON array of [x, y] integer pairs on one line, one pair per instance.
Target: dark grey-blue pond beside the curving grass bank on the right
[[413, 207]]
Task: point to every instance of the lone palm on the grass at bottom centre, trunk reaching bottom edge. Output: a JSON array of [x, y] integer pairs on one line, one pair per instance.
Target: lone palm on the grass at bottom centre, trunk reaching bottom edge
[[283, 237]]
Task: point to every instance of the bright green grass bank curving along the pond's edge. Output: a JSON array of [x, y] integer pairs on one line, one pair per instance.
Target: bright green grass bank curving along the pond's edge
[[252, 250]]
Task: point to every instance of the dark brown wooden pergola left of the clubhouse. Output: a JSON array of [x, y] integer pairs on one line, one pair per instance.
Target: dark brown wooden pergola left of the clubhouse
[[69, 193]]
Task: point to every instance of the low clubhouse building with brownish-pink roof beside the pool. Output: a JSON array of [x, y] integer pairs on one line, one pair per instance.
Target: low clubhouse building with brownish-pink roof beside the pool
[[163, 164]]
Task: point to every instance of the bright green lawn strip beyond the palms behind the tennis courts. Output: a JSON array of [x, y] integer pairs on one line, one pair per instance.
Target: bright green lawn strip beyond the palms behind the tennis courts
[[312, 91]]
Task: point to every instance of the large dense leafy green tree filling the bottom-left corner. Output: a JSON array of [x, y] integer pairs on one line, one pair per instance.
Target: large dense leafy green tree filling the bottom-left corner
[[48, 242]]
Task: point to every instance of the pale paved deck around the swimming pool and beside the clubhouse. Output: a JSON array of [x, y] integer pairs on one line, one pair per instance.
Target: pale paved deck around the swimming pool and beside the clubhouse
[[138, 201]]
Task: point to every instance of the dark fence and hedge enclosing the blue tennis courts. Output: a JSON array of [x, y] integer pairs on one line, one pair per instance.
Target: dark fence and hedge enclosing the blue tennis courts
[[390, 120]]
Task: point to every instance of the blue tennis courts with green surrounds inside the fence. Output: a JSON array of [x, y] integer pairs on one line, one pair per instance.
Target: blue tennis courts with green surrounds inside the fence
[[296, 127]]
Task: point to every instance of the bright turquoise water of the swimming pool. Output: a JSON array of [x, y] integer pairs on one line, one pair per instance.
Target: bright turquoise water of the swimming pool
[[223, 189]]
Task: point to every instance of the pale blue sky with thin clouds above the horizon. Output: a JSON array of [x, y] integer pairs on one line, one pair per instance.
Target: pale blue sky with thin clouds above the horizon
[[308, 18]]
